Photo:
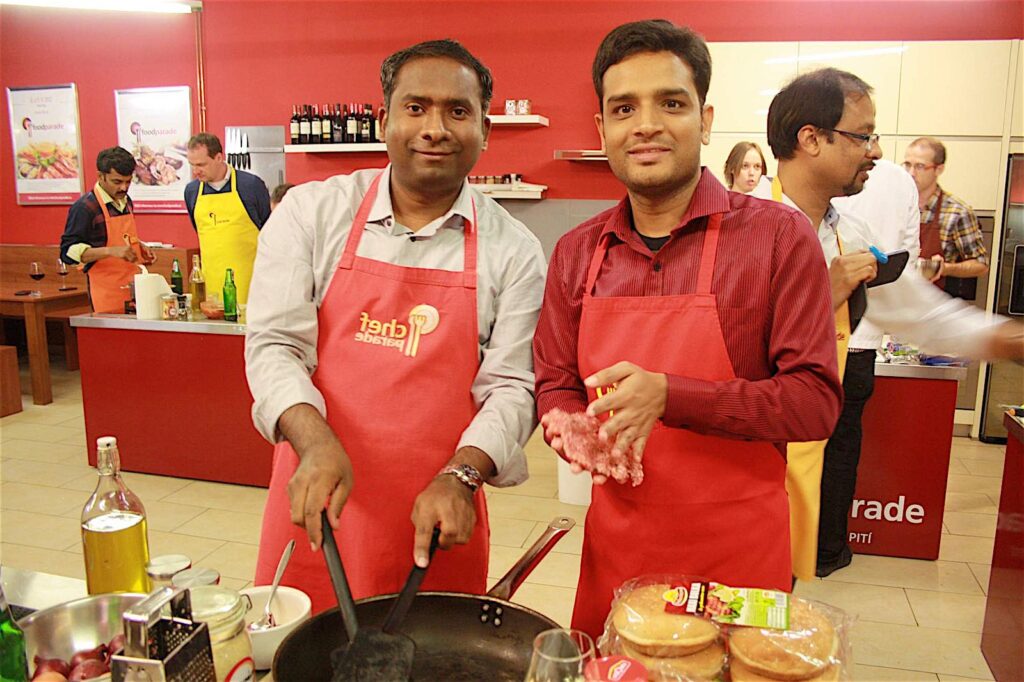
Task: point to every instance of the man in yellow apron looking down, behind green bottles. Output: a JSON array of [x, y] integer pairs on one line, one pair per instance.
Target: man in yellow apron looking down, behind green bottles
[[228, 208]]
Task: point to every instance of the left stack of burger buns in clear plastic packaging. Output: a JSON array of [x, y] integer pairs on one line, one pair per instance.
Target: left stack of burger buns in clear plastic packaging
[[649, 623]]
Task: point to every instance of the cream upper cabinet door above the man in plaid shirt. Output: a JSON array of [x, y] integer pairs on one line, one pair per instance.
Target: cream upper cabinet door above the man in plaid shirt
[[954, 89]]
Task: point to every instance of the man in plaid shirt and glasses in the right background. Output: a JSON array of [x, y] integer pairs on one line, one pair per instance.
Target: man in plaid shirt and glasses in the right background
[[950, 232]]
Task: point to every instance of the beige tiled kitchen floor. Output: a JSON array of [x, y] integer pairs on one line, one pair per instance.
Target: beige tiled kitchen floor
[[916, 620]]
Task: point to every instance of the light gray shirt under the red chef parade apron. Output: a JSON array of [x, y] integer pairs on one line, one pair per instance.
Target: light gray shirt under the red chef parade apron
[[300, 249]]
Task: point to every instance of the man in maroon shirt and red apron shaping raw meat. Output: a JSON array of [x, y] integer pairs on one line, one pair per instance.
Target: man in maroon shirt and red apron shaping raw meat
[[708, 314]]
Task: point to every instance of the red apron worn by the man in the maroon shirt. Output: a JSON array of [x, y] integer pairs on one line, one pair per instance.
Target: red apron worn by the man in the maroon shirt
[[708, 506]]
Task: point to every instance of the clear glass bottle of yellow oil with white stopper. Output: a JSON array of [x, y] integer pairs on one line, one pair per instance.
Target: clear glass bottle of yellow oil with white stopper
[[114, 530]]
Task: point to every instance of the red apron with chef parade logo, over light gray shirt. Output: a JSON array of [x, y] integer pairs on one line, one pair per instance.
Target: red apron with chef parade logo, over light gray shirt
[[399, 354]]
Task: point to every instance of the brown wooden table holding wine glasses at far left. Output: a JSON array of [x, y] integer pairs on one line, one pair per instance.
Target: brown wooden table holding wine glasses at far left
[[33, 310]]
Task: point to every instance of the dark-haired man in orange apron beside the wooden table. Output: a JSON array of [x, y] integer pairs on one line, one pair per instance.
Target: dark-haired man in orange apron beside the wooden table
[[101, 234]]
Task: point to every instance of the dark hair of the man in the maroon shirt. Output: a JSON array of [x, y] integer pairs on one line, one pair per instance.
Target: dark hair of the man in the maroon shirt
[[654, 36]]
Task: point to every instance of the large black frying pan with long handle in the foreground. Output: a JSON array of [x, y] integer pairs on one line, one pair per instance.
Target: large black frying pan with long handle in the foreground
[[458, 636]]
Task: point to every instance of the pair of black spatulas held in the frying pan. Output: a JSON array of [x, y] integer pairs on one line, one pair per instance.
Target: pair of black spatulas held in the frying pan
[[372, 656]]
